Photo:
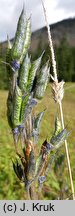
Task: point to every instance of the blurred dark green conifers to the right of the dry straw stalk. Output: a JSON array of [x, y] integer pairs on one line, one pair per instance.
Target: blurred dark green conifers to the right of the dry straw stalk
[[65, 57]]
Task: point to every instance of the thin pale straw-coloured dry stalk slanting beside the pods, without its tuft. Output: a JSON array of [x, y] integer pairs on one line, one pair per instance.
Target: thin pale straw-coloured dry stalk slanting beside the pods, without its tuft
[[60, 104]]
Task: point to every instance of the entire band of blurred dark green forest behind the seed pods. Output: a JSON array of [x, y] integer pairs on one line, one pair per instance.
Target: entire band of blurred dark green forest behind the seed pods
[[65, 57]]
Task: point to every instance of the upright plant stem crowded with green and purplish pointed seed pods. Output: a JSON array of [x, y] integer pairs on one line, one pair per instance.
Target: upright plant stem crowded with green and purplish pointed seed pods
[[27, 83]]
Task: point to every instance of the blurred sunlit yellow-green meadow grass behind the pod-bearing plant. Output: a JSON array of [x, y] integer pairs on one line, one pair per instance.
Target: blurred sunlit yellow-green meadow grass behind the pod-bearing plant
[[57, 184]]
